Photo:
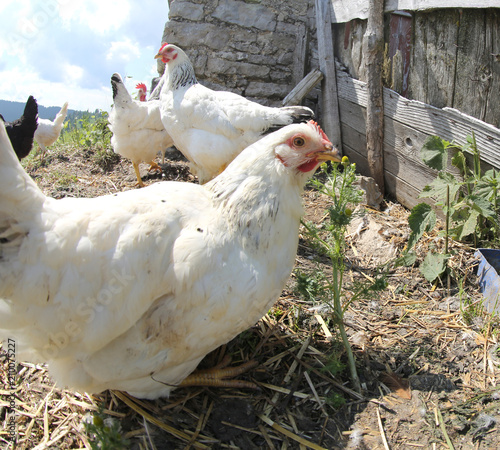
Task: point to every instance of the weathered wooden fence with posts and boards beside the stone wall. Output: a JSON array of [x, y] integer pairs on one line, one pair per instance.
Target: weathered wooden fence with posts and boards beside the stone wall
[[444, 65]]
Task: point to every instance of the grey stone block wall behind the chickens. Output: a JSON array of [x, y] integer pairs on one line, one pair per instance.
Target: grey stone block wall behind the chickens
[[257, 48]]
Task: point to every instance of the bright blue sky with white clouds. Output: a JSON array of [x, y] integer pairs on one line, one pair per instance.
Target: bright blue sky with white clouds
[[67, 50]]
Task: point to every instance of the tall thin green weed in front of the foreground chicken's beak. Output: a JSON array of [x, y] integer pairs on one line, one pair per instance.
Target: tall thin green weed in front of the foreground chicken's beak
[[330, 237]]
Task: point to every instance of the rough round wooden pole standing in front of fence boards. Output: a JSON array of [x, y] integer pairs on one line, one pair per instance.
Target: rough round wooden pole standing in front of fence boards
[[373, 50]]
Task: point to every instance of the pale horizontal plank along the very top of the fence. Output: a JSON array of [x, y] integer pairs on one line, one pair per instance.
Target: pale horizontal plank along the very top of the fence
[[346, 10]]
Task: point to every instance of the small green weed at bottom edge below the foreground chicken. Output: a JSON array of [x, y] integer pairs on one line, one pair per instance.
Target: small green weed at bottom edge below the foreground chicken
[[105, 433]]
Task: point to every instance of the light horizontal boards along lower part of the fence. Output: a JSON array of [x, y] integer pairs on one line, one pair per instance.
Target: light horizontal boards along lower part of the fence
[[406, 126]]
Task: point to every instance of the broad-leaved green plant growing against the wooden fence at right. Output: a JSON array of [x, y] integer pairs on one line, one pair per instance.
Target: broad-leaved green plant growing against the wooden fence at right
[[469, 202]]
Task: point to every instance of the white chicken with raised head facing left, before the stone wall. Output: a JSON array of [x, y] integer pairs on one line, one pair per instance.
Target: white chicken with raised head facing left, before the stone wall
[[211, 127]]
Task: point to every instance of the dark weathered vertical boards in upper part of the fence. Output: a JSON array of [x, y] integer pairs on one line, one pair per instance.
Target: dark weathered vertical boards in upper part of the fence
[[444, 57]]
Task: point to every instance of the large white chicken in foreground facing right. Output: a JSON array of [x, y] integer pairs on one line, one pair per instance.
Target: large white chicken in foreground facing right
[[119, 291]]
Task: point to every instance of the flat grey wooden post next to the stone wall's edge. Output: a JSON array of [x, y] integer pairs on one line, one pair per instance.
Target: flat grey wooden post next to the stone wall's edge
[[330, 104]]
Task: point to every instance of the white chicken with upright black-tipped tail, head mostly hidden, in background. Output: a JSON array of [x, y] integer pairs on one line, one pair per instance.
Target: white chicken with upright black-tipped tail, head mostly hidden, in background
[[138, 132]]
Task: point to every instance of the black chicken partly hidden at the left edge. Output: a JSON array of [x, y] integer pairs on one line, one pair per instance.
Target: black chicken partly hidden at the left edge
[[22, 130]]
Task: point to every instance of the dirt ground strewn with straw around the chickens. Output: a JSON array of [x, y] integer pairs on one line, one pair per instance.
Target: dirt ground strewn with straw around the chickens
[[426, 355]]
